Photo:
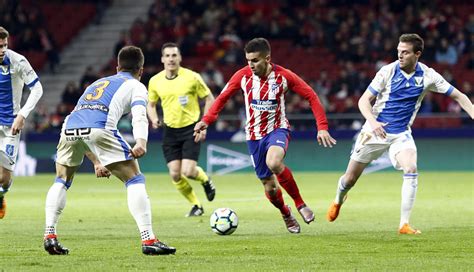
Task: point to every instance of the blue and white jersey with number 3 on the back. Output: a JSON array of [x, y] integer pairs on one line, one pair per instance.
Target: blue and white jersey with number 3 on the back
[[106, 100]]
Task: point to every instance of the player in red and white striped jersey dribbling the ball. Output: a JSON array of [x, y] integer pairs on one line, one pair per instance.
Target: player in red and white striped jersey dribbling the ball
[[264, 86]]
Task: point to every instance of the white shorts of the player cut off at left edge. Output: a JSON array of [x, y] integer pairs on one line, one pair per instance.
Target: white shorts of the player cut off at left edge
[[9, 145]]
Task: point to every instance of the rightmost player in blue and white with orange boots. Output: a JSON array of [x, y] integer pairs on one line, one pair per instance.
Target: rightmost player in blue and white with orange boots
[[398, 89]]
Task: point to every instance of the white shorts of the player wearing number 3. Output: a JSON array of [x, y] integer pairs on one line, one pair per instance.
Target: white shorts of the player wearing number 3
[[107, 145]]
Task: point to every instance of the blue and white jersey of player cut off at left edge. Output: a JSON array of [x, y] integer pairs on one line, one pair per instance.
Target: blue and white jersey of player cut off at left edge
[[15, 72]]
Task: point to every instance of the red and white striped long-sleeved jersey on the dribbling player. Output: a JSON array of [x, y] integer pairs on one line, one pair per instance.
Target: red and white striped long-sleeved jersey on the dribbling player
[[265, 100]]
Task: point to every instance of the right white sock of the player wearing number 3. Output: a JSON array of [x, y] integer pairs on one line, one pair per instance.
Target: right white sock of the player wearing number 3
[[139, 206]]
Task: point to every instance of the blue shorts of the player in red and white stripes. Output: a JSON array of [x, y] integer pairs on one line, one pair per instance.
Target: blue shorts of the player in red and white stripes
[[258, 150]]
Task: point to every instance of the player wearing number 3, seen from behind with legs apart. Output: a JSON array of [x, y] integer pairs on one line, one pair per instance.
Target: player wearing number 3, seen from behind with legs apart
[[92, 128]]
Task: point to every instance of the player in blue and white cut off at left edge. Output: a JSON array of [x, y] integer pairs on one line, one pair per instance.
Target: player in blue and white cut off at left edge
[[15, 72]]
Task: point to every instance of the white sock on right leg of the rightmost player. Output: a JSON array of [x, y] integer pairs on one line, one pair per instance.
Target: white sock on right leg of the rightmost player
[[409, 187]]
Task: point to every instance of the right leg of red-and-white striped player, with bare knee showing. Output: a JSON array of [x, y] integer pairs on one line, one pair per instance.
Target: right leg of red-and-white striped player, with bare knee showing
[[278, 144]]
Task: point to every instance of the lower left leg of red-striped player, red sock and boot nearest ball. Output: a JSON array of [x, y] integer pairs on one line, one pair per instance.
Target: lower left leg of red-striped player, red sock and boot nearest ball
[[274, 195]]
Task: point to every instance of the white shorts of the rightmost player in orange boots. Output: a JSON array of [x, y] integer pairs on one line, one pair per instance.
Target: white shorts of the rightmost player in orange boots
[[368, 147]]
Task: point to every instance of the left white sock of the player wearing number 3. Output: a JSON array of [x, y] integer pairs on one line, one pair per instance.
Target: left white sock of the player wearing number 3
[[55, 203]]
